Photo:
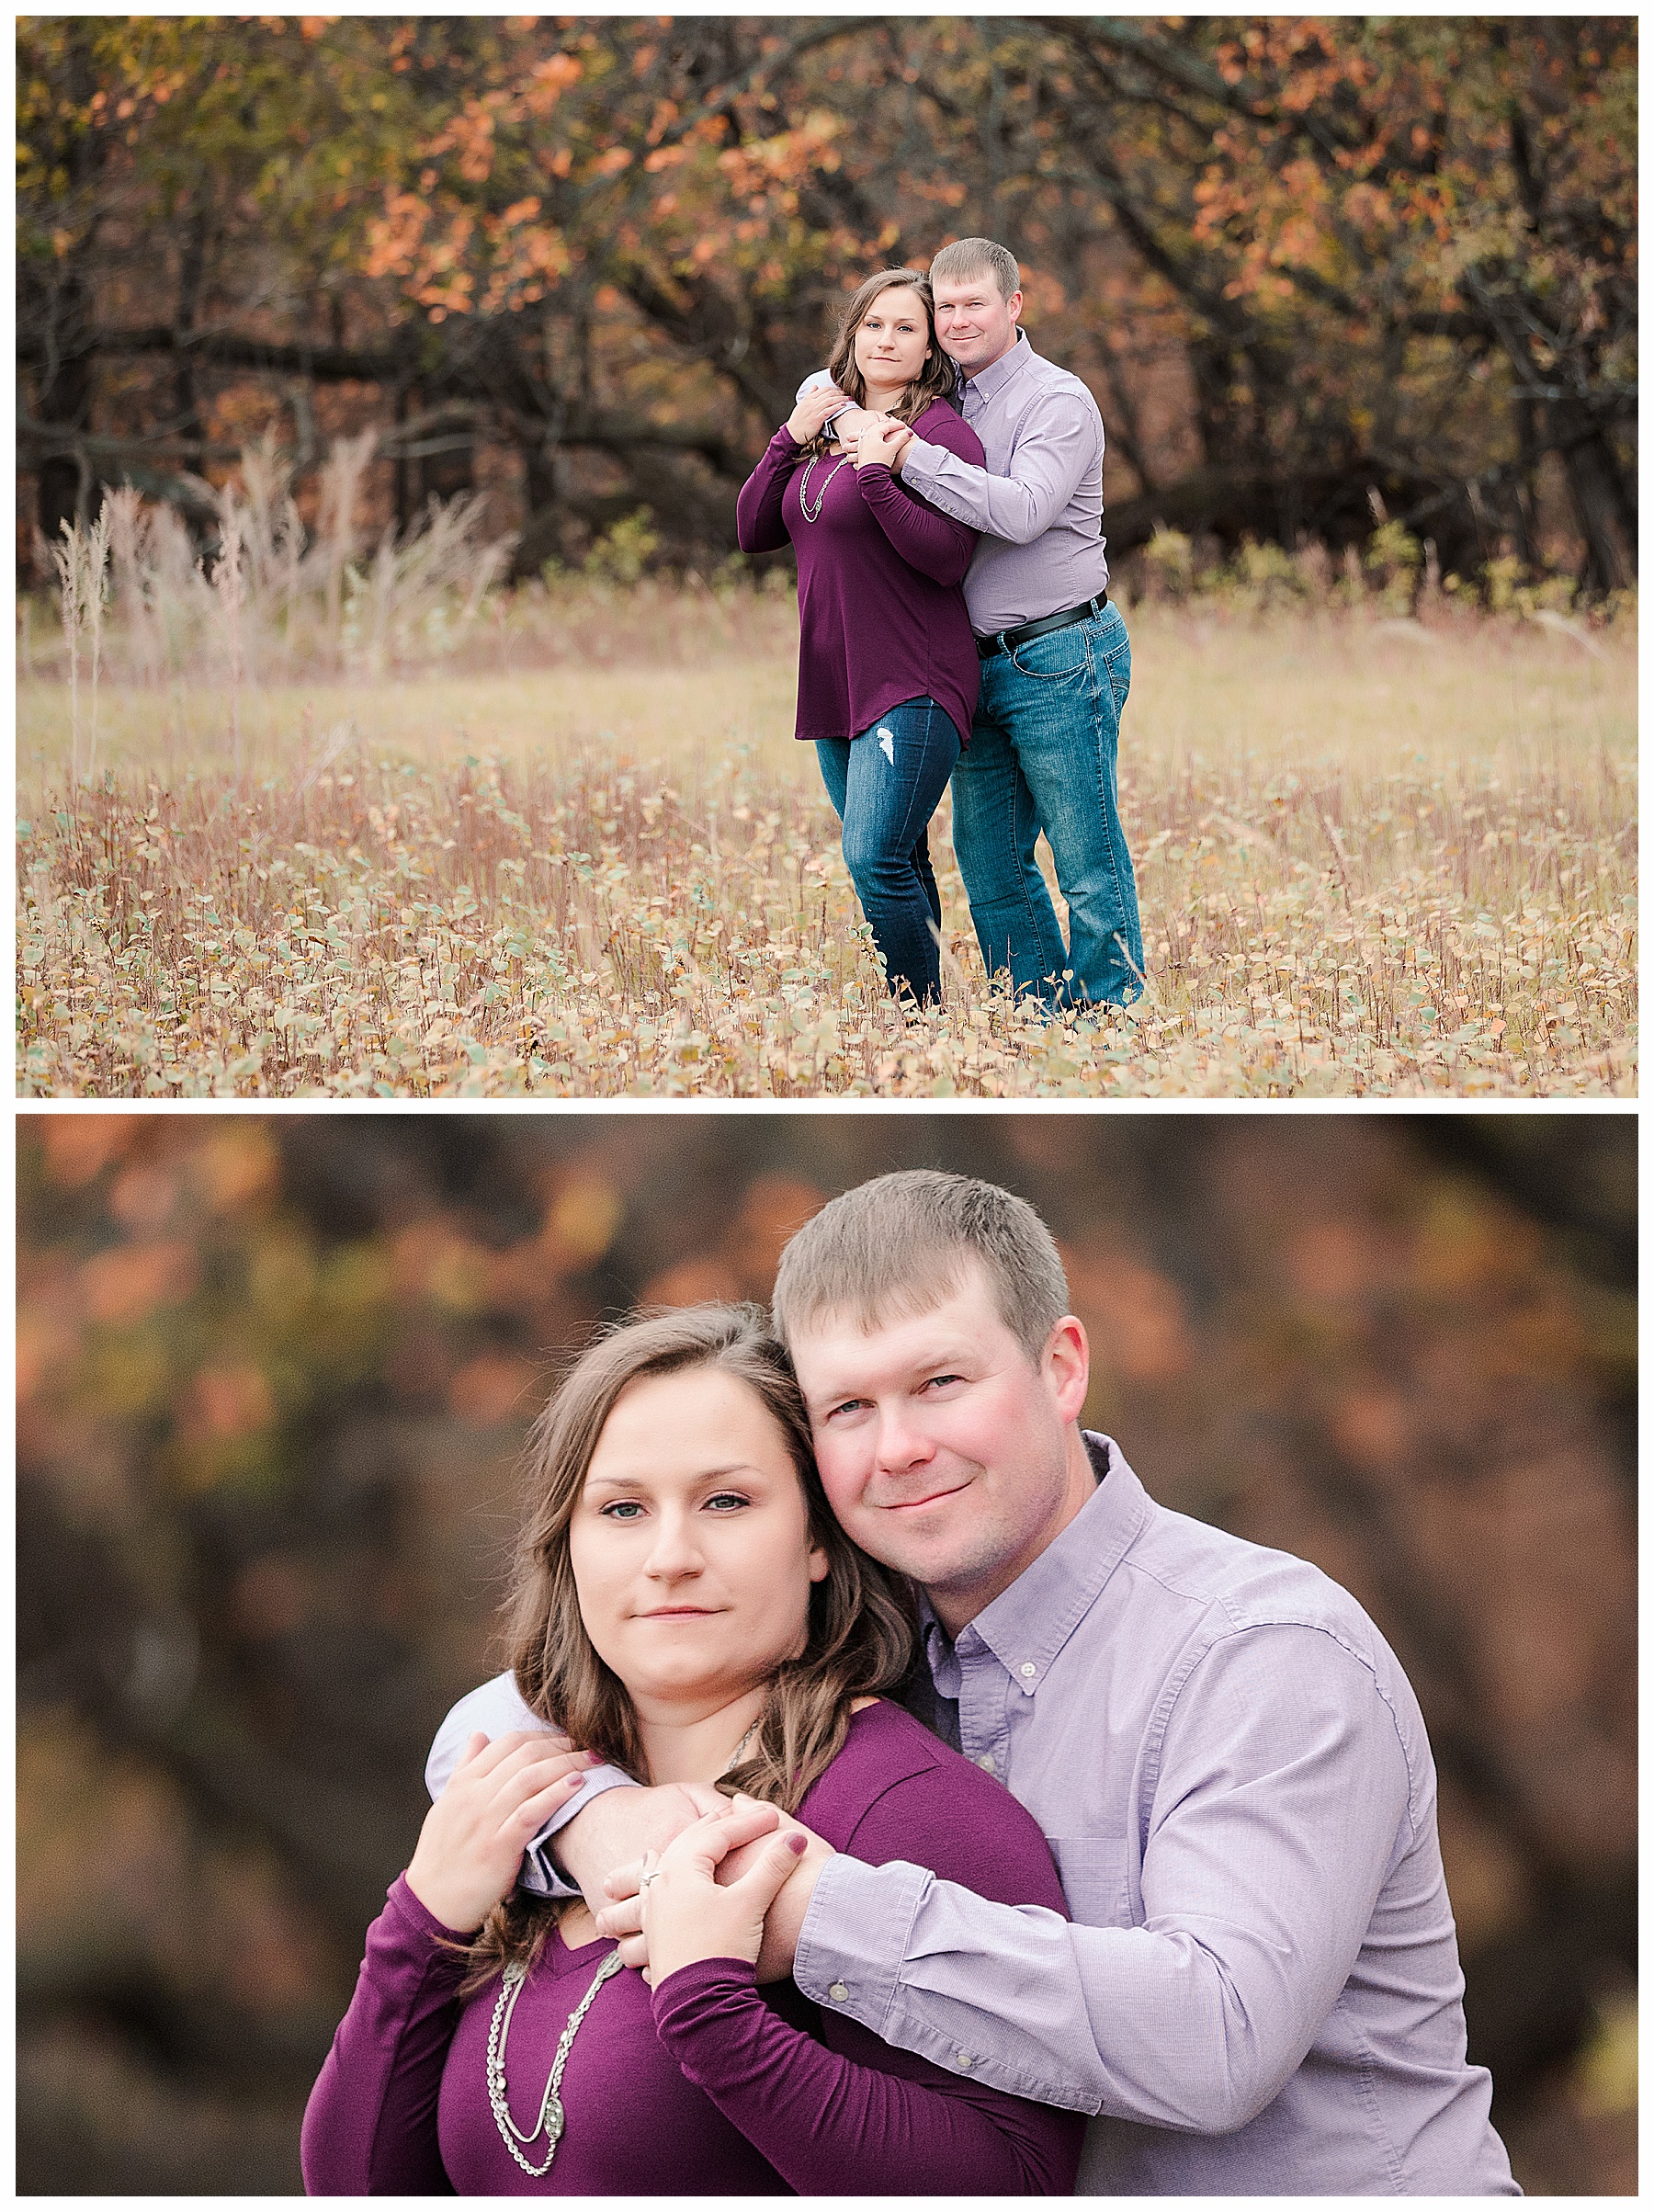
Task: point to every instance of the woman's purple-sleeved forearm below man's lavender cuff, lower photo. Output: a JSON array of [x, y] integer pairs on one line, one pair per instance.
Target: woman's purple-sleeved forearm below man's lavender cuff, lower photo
[[841, 2129]]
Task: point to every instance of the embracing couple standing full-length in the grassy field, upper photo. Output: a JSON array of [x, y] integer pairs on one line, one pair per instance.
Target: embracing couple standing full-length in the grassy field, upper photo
[[943, 488]]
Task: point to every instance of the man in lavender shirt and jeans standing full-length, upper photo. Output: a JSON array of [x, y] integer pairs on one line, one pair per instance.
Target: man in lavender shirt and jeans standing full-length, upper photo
[[1056, 656]]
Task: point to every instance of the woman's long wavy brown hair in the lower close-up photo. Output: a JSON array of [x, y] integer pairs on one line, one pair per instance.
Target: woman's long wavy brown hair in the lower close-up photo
[[861, 1620]]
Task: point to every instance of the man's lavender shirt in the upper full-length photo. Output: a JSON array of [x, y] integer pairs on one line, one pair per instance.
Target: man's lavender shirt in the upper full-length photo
[[1040, 499]]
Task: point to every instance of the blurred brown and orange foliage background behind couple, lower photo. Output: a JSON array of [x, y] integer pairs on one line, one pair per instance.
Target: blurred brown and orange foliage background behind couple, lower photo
[[275, 1373]]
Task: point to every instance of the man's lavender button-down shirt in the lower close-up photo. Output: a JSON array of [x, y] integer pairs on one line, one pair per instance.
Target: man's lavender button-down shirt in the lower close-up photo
[[1259, 1992]]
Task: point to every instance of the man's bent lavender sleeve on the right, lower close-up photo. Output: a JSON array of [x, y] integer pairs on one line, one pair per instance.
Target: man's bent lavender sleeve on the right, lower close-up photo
[[1288, 1797]]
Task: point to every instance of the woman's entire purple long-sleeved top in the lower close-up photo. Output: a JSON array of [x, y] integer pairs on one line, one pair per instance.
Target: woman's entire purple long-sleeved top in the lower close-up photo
[[709, 2085]]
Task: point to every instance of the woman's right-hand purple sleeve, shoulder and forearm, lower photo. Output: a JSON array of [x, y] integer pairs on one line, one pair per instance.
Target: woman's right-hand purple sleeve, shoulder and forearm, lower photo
[[861, 2118]]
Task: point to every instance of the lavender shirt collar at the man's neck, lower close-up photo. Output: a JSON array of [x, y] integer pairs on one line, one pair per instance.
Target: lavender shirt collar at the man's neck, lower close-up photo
[[1032, 1623]]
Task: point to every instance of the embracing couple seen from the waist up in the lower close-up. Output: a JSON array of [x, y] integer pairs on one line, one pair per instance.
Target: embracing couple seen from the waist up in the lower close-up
[[939, 1784]]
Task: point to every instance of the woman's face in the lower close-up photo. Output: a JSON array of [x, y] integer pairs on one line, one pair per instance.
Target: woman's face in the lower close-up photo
[[691, 1545]]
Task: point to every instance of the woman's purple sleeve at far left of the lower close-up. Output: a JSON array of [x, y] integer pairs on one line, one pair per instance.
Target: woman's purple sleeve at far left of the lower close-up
[[370, 2125]]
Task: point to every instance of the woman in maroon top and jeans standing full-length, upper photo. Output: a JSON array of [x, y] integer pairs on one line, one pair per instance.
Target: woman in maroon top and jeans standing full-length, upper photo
[[888, 665]]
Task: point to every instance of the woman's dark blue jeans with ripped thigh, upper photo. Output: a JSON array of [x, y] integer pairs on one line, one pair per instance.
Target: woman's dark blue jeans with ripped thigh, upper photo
[[886, 786]]
